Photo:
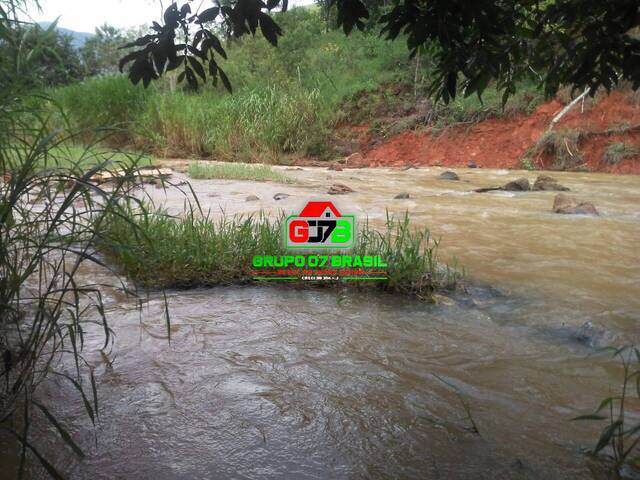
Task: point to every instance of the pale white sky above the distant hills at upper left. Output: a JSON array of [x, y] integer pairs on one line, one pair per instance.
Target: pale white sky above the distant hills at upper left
[[86, 15]]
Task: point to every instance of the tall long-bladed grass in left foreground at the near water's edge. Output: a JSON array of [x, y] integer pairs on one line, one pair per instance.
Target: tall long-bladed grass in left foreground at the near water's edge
[[51, 216]]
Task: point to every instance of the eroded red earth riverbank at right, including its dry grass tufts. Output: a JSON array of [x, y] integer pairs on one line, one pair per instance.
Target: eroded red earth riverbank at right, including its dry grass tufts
[[601, 135]]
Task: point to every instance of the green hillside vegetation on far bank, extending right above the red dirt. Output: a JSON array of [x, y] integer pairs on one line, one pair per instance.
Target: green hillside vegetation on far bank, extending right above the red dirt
[[286, 100]]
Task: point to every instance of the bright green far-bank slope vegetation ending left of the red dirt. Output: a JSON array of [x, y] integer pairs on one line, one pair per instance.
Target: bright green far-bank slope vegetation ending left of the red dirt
[[285, 100]]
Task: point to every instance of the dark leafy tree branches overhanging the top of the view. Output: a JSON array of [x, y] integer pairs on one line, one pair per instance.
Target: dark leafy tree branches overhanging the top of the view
[[580, 43]]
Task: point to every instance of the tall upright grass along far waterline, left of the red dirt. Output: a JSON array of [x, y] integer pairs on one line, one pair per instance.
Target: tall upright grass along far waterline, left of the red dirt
[[252, 126]]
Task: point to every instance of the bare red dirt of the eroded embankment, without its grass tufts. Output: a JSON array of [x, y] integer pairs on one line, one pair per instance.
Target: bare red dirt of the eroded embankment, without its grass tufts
[[504, 142]]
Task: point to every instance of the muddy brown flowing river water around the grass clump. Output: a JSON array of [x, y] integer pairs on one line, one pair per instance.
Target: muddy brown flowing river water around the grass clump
[[263, 382]]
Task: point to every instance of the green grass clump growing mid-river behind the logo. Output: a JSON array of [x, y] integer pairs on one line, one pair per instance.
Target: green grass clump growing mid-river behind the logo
[[195, 250]]
